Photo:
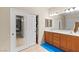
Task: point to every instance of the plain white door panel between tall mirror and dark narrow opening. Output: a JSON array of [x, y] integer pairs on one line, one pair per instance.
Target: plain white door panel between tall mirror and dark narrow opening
[[31, 30]]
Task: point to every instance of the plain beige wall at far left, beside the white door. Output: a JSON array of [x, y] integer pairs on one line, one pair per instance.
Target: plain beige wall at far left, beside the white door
[[4, 29]]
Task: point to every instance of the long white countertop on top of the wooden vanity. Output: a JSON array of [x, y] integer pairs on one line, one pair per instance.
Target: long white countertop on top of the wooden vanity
[[68, 32]]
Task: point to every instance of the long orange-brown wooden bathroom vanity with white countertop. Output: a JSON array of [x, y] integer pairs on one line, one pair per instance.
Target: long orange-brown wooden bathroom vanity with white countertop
[[63, 39]]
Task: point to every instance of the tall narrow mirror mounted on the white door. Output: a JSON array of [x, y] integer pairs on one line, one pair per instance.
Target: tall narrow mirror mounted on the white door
[[19, 31]]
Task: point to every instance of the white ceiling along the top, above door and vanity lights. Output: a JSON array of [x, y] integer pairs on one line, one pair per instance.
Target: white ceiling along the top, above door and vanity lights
[[50, 10]]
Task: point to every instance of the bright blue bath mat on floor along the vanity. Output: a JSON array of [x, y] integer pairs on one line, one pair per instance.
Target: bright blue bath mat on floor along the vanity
[[51, 48]]
